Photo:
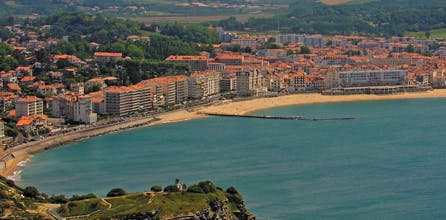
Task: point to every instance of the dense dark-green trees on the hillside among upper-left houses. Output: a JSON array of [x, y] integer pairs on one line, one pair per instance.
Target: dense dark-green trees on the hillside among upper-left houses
[[147, 56]]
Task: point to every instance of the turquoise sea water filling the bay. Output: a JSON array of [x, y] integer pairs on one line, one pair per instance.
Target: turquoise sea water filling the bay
[[390, 163]]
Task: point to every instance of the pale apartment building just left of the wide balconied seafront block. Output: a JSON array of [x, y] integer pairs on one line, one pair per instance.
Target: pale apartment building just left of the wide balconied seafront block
[[74, 107]]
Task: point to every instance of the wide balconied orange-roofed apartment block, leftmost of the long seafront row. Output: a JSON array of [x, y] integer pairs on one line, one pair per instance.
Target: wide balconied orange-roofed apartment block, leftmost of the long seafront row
[[122, 100]]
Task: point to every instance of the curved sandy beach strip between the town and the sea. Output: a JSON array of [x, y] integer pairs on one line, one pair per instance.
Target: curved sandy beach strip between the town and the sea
[[10, 164]]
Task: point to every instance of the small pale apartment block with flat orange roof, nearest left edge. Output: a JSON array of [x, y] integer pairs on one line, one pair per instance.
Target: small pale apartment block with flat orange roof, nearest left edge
[[29, 105]]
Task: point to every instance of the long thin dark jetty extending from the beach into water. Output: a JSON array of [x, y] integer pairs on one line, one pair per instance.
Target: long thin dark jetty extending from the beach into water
[[297, 118]]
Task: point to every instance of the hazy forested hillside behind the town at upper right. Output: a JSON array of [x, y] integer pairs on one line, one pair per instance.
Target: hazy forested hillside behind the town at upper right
[[380, 17]]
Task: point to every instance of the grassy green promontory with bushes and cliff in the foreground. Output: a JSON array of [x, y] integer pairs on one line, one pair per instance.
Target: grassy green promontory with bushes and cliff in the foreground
[[199, 201]]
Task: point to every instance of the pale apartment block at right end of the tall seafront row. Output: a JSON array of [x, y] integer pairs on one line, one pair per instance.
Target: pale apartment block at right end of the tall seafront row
[[249, 82]]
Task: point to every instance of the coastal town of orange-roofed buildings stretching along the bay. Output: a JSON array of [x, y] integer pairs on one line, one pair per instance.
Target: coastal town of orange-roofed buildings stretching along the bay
[[39, 103]]
